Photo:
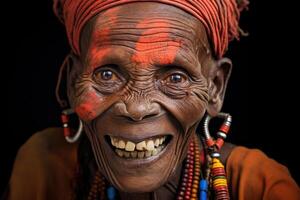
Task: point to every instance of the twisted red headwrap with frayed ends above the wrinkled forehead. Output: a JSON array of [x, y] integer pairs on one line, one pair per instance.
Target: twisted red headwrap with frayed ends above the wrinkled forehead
[[219, 17]]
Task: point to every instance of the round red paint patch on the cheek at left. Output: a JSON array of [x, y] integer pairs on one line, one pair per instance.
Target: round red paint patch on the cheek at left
[[88, 104]]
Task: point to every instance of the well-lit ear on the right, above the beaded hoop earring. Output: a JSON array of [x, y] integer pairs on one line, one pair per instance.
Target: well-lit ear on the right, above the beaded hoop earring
[[218, 78]]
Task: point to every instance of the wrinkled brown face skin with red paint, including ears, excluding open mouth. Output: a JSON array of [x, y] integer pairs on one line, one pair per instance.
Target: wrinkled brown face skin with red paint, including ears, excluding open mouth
[[145, 69]]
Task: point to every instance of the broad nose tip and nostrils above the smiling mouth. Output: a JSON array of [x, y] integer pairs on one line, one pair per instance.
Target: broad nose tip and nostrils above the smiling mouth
[[137, 110]]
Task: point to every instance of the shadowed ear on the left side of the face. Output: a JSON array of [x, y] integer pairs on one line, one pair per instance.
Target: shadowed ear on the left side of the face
[[75, 68]]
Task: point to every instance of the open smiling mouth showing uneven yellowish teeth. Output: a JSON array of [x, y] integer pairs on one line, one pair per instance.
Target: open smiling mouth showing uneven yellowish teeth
[[144, 149]]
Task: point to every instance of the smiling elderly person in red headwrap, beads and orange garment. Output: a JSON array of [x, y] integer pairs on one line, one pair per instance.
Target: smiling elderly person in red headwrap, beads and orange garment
[[141, 77]]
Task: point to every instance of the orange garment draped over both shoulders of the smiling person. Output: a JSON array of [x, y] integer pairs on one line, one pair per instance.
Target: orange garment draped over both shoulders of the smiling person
[[45, 165]]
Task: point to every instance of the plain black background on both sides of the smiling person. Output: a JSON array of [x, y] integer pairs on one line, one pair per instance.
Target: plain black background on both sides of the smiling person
[[262, 92]]
